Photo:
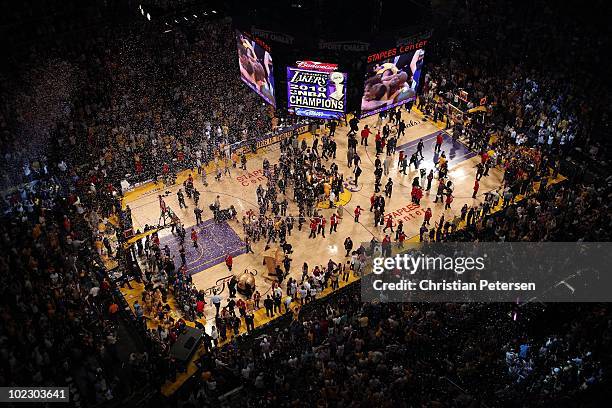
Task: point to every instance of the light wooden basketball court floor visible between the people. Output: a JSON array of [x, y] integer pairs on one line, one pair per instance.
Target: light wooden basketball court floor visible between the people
[[206, 262]]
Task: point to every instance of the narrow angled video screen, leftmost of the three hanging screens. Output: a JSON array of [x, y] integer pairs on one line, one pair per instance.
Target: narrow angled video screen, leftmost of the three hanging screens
[[256, 66]]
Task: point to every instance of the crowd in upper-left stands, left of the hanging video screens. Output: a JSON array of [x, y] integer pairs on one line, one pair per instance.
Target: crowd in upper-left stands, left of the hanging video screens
[[133, 105]]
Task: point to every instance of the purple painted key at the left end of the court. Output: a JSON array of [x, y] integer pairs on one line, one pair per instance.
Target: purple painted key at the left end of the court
[[215, 241]]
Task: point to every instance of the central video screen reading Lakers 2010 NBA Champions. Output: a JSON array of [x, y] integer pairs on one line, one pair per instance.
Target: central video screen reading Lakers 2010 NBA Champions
[[316, 90]]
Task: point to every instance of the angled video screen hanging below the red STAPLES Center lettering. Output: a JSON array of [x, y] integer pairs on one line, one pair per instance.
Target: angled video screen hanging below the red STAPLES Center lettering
[[392, 78]]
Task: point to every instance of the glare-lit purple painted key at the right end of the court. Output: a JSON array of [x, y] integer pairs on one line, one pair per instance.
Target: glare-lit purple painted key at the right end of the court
[[455, 151]]
